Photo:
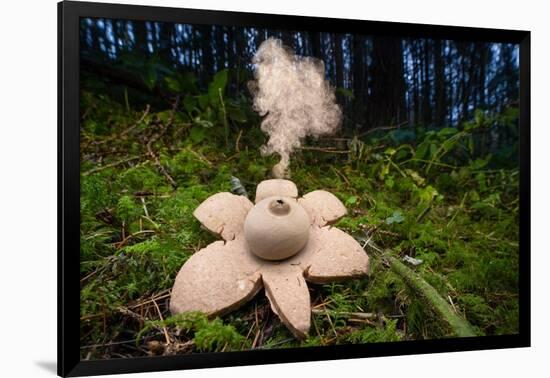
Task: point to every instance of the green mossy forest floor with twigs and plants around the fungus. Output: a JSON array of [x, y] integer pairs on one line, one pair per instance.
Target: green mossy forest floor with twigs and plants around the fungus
[[438, 197]]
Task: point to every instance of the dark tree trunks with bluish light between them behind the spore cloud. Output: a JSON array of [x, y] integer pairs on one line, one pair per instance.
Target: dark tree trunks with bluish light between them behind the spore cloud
[[380, 80]]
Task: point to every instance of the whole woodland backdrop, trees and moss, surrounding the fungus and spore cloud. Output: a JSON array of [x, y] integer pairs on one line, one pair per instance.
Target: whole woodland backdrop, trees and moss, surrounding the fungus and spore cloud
[[426, 164]]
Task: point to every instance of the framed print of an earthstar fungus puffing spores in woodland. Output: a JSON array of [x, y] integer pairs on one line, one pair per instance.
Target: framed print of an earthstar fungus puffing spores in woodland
[[240, 188]]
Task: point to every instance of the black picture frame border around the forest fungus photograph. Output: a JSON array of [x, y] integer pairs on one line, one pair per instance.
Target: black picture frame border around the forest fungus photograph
[[69, 363]]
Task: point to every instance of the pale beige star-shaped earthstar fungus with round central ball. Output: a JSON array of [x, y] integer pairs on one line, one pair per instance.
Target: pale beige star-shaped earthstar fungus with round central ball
[[278, 244]]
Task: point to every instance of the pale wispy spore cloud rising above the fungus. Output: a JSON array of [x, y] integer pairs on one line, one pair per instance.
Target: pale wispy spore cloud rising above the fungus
[[293, 97]]
